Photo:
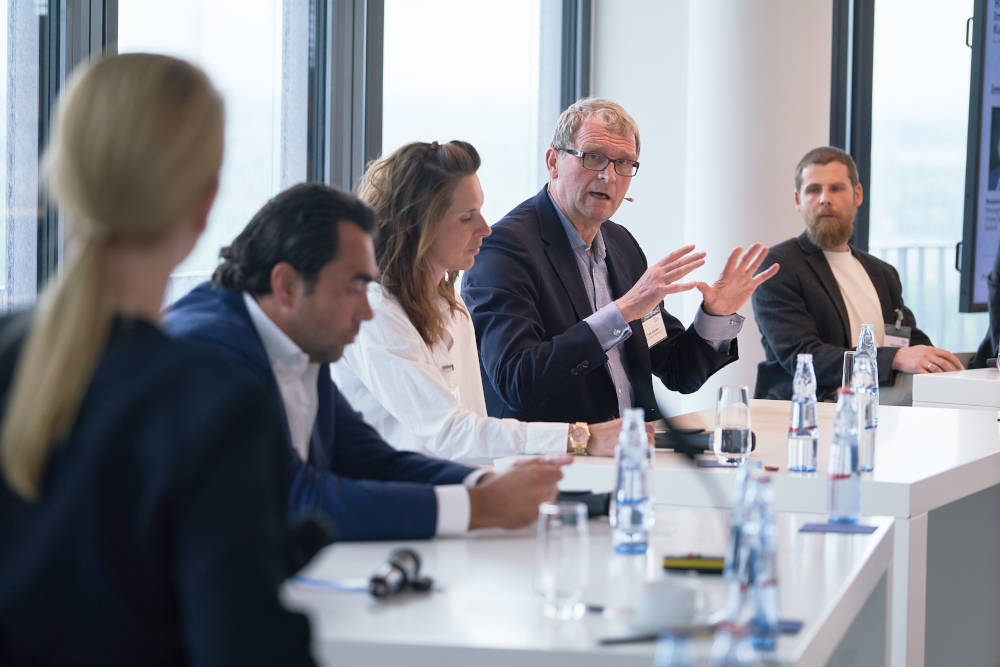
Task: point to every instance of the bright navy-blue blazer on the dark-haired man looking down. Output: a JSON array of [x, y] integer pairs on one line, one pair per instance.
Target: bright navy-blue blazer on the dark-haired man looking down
[[368, 489]]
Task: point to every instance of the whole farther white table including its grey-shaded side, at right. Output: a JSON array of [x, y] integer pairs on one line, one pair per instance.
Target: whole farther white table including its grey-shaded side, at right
[[937, 471]]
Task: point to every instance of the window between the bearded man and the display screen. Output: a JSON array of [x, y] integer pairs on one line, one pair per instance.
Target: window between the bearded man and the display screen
[[920, 106]]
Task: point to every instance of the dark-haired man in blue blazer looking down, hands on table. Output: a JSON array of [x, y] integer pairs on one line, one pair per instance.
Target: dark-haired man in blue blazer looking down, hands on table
[[290, 294]]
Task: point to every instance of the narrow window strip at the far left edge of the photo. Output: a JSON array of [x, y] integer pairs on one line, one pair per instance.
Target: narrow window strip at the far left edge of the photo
[[19, 40]]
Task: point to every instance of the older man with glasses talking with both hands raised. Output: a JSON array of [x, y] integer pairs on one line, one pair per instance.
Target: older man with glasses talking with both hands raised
[[569, 317]]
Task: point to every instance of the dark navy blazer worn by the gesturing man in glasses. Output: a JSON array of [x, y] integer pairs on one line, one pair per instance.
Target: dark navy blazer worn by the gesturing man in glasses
[[540, 361]]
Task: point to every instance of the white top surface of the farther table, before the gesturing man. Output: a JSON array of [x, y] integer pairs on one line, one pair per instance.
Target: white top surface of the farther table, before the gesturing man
[[924, 458]]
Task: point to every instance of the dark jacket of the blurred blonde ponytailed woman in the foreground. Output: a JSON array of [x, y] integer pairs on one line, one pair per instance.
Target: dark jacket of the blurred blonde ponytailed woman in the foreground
[[157, 539]]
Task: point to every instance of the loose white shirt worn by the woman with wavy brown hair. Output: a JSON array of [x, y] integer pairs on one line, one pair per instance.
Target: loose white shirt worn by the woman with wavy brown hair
[[430, 398]]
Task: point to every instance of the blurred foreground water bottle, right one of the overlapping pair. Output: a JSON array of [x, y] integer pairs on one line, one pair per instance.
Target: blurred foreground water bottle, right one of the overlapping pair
[[761, 572]]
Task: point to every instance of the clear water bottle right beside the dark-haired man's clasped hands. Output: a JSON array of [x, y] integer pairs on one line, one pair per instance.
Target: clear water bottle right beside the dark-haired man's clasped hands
[[632, 514]]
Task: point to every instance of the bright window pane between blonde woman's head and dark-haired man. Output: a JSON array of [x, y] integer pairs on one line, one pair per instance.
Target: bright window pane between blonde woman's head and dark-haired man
[[256, 52]]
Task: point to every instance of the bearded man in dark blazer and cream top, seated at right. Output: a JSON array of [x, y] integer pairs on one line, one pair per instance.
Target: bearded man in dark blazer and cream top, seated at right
[[827, 289]]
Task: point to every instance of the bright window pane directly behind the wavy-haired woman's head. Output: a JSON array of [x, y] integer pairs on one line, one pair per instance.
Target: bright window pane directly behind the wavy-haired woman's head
[[486, 73]]
